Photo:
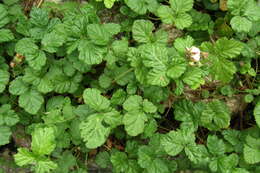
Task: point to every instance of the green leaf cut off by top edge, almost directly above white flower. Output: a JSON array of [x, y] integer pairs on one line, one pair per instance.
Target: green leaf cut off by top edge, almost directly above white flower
[[180, 6]]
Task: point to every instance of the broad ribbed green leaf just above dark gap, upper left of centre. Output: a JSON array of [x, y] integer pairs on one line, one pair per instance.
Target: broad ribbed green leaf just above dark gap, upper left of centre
[[89, 53]]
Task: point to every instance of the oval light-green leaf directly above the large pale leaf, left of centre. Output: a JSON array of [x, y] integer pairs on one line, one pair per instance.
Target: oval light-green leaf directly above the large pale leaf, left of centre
[[95, 100]]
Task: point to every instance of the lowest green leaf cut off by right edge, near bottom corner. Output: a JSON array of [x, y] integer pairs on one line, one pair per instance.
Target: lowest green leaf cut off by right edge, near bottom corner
[[251, 150]]
